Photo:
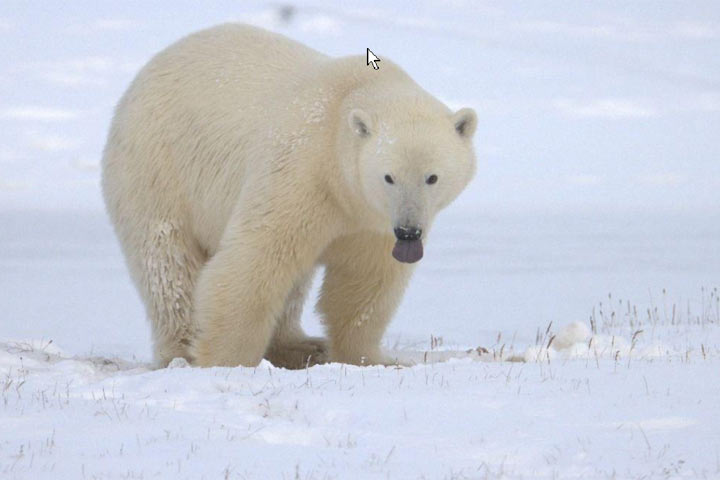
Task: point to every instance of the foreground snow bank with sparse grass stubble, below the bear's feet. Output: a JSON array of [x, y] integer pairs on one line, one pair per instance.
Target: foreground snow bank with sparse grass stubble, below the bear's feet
[[460, 419]]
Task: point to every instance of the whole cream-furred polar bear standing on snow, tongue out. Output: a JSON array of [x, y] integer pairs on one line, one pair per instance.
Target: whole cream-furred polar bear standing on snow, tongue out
[[239, 161]]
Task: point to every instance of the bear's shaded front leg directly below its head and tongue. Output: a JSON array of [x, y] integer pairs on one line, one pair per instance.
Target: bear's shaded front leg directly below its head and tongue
[[362, 288]]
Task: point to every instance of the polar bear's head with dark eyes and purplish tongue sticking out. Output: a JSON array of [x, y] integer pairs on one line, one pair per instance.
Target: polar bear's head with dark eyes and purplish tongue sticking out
[[412, 159]]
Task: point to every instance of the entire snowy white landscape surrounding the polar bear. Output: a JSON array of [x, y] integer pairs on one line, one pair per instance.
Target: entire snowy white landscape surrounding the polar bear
[[593, 228]]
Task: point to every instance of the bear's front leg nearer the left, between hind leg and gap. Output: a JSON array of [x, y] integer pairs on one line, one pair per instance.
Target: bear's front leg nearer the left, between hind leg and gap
[[243, 288]]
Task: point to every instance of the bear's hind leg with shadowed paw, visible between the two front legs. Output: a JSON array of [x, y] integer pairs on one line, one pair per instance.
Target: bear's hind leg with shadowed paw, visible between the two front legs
[[291, 347]]
